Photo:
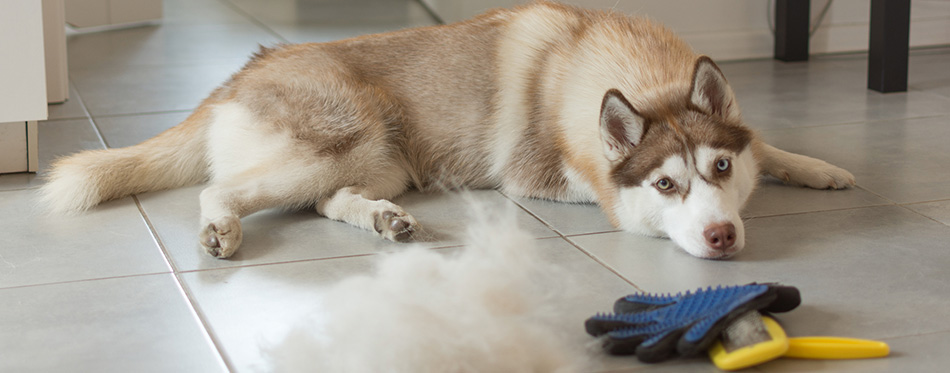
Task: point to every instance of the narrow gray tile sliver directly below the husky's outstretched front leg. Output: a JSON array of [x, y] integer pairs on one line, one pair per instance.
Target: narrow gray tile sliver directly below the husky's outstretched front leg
[[774, 198]]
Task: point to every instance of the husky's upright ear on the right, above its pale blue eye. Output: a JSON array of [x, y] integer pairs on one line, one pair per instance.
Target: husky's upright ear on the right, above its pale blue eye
[[711, 93]]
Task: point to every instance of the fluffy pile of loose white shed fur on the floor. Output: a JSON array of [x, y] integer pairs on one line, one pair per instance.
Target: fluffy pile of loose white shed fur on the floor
[[490, 308]]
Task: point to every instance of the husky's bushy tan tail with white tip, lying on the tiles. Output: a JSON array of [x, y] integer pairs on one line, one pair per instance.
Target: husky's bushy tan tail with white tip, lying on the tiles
[[174, 158]]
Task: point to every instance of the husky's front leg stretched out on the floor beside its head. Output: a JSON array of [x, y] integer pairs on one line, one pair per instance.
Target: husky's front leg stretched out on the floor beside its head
[[797, 169]]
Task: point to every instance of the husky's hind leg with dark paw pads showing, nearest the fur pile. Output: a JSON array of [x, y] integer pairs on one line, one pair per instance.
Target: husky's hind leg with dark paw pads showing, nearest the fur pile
[[357, 207]]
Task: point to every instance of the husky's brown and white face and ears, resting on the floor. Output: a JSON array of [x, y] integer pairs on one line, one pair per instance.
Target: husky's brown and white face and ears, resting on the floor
[[685, 171]]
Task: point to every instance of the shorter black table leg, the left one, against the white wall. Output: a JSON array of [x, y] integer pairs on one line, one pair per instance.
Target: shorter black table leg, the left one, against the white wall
[[791, 29]]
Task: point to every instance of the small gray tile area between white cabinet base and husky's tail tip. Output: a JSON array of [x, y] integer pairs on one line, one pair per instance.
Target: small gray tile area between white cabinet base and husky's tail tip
[[55, 139]]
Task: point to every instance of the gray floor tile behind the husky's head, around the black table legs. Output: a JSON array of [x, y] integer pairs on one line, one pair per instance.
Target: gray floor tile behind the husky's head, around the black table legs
[[827, 90]]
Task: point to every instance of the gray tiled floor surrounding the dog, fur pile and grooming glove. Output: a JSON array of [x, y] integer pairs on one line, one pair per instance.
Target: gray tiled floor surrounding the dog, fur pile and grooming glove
[[125, 287]]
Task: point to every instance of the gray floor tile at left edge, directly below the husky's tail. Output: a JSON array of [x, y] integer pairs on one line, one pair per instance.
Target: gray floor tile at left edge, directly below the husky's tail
[[111, 240]]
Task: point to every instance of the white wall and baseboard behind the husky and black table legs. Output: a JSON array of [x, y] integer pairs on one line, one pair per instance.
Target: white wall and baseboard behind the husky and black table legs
[[738, 29]]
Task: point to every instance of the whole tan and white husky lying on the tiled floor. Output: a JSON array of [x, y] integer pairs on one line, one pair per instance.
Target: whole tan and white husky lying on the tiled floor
[[545, 101]]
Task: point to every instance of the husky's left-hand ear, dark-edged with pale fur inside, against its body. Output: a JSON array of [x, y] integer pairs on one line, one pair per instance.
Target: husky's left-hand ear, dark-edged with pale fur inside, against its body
[[621, 127]]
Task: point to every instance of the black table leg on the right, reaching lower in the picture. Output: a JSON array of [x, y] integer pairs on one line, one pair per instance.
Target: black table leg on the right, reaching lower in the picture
[[889, 42]]
